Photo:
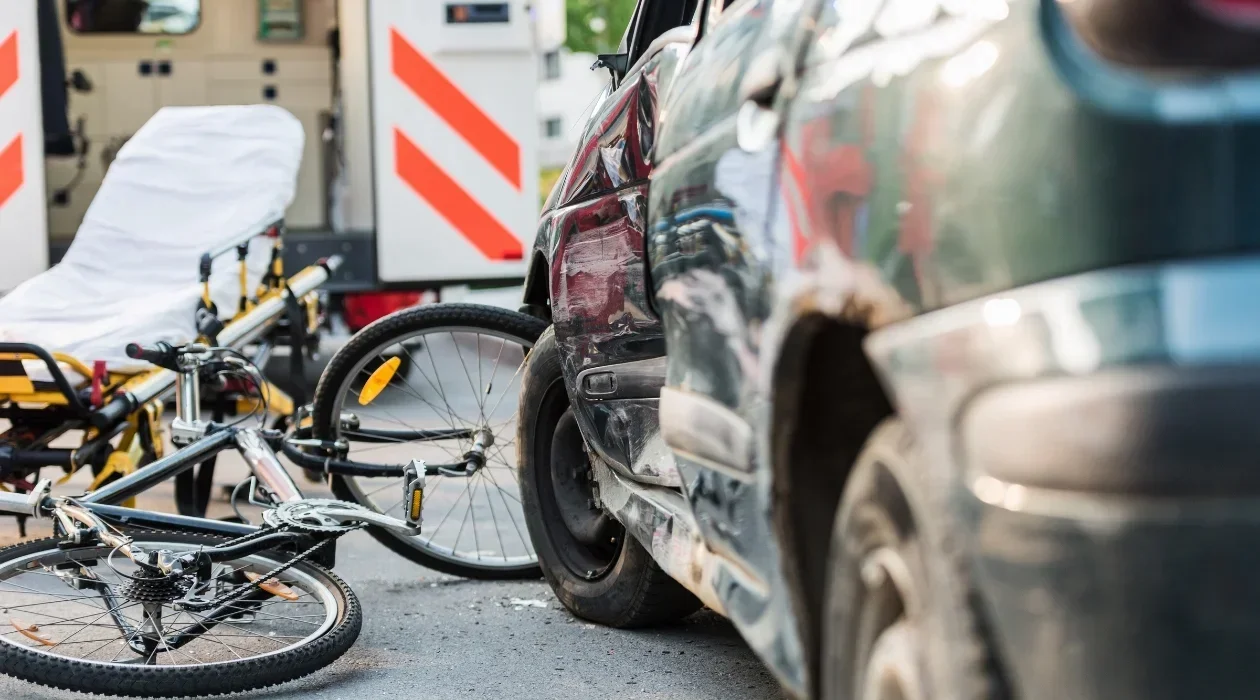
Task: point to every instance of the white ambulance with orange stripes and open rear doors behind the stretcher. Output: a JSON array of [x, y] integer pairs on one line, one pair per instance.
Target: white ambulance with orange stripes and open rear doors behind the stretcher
[[420, 164]]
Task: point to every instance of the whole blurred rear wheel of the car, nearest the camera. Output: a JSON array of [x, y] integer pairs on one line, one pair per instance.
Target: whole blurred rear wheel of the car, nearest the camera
[[903, 618]]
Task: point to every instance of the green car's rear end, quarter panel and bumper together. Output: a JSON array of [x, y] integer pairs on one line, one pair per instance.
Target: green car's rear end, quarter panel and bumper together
[[1001, 208]]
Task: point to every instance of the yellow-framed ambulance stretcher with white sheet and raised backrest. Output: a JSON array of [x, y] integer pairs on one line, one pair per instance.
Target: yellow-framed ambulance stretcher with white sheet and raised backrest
[[183, 242]]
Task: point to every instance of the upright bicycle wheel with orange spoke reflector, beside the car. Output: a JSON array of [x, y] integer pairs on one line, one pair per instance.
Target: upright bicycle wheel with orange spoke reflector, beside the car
[[458, 371]]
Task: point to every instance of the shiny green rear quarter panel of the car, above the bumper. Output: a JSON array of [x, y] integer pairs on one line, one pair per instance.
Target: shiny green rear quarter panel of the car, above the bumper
[[915, 154]]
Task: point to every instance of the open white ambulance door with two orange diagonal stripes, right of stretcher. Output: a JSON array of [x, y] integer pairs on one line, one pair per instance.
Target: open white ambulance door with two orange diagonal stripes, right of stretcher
[[455, 138]]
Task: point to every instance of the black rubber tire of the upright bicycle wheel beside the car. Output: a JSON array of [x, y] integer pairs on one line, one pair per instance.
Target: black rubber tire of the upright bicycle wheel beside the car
[[382, 332]]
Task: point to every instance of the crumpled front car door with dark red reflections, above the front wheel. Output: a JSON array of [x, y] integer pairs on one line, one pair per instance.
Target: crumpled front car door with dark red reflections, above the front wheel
[[593, 237]]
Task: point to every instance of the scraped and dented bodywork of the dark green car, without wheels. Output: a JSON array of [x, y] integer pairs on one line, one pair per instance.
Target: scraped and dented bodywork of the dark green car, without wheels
[[943, 158]]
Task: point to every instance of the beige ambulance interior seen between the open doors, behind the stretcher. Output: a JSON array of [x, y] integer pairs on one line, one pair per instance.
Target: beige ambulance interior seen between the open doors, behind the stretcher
[[125, 60]]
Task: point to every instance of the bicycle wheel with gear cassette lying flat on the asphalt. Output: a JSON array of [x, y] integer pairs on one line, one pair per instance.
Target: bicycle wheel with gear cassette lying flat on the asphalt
[[71, 619]]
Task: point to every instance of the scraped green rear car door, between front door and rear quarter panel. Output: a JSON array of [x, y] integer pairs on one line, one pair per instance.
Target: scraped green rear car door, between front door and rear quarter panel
[[713, 250]]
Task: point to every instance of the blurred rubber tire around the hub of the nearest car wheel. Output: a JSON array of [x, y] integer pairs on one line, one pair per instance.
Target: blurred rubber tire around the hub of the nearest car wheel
[[893, 502]]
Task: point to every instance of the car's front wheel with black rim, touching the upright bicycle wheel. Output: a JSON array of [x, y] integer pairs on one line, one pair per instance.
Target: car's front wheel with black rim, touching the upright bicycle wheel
[[626, 589]]
